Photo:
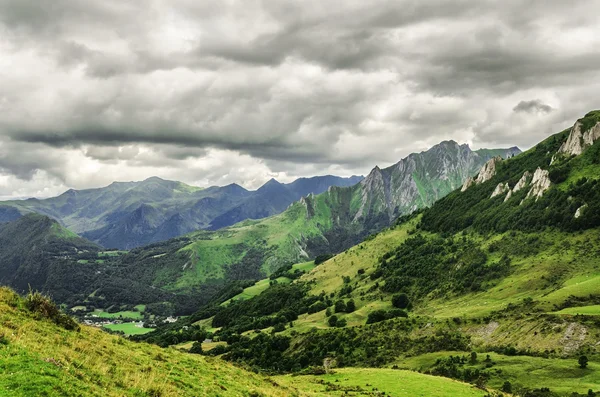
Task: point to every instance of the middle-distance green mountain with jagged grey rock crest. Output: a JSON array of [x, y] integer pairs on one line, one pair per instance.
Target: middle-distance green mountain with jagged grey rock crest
[[316, 224]]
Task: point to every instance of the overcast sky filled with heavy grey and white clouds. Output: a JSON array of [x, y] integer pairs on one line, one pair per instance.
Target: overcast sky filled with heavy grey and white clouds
[[215, 92]]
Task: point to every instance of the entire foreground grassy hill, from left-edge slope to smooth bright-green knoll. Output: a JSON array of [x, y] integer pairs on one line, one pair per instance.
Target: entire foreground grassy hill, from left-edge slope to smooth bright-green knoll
[[41, 358]]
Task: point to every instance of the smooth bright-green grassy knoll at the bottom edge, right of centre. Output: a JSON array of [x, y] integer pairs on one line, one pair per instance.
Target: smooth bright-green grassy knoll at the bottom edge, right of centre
[[368, 381]]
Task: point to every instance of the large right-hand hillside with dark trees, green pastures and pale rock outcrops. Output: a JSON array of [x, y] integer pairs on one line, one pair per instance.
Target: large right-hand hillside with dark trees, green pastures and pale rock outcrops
[[495, 284]]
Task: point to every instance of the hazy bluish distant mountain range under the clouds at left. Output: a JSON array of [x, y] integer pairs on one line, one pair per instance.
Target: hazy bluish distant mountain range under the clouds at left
[[126, 215]]
